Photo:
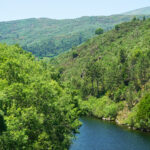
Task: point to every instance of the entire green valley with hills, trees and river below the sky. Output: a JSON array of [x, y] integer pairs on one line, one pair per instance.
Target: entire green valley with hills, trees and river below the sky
[[86, 78]]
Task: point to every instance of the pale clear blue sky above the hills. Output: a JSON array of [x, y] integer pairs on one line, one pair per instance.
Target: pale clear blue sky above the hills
[[64, 9]]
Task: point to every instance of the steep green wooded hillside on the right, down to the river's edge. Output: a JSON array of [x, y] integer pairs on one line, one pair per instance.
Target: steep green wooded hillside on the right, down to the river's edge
[[112, 74]]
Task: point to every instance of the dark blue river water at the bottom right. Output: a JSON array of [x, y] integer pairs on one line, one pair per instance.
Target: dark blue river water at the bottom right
[[102, 135]]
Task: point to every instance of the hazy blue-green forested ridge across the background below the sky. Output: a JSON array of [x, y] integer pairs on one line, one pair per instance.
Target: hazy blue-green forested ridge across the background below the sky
[[48, 37]]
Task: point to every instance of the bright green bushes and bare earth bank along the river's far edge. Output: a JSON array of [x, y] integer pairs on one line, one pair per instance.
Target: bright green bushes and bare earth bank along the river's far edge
[[105, 109]]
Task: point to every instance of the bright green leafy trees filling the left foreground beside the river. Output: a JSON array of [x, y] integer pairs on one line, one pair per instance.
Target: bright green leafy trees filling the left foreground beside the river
[[36, 111]]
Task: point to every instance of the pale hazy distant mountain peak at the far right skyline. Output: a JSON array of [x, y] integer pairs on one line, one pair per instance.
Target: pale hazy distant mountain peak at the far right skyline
[[141, 11]]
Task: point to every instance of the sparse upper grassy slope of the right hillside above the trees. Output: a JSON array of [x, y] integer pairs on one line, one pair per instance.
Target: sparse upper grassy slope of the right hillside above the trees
[[127, 36]]
